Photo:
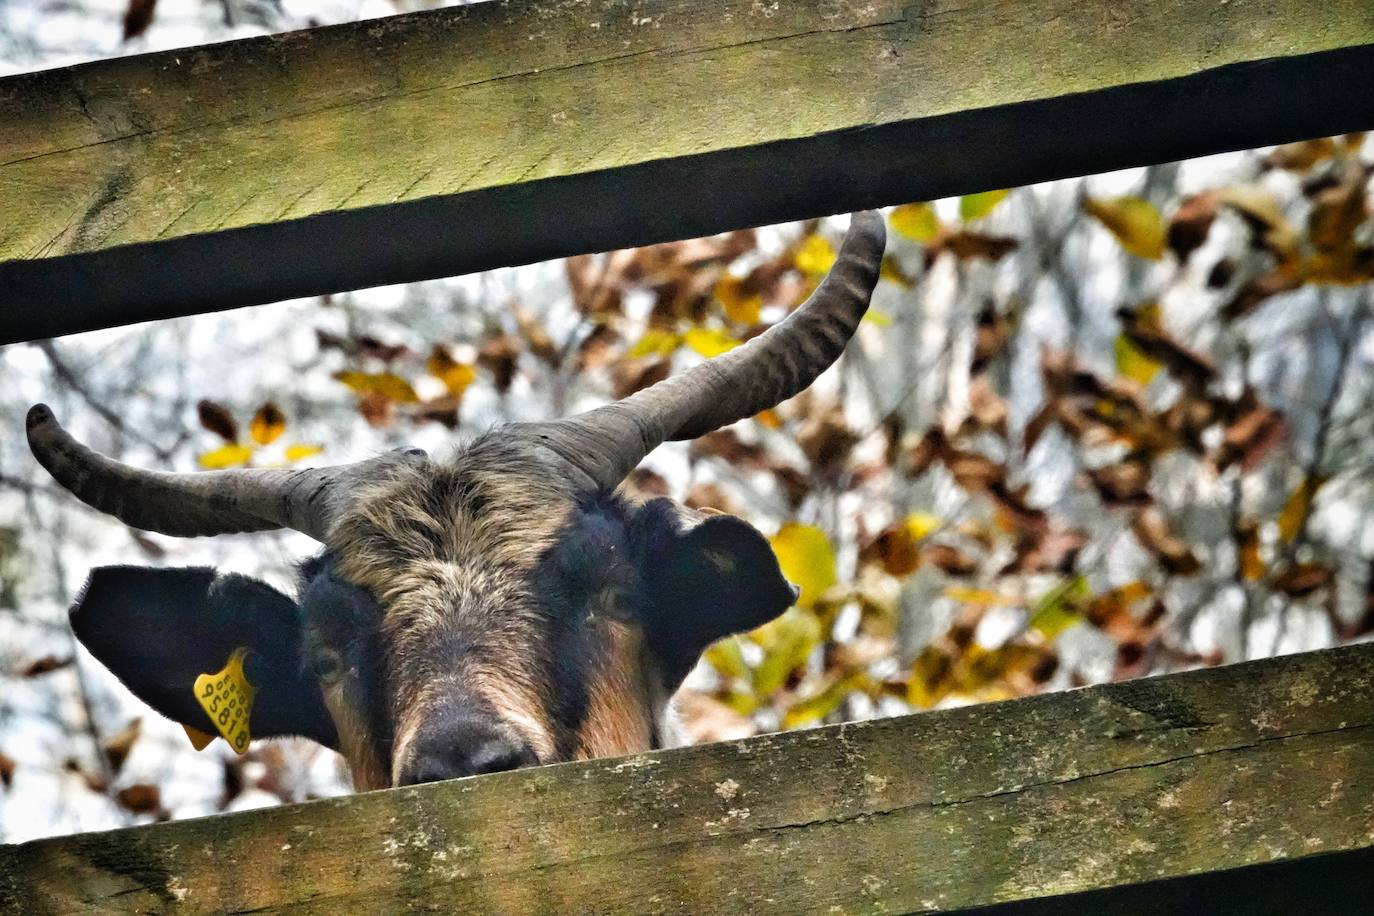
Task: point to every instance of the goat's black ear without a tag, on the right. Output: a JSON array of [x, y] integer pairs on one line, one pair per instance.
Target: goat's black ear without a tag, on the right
[[707, 576]]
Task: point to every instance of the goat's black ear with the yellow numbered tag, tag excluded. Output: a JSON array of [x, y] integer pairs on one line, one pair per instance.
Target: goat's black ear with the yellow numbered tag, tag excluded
[[160, 630]]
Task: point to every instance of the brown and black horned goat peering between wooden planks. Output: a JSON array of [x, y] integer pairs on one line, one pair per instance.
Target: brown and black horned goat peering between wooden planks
[[498, 610]]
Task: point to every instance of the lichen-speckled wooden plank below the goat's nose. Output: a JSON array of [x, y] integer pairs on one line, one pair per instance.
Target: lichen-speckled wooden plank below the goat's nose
[[1184, 788]]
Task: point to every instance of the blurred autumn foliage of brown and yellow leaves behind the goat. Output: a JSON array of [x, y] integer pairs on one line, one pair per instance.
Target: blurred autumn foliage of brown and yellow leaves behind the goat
[[1092, 431]]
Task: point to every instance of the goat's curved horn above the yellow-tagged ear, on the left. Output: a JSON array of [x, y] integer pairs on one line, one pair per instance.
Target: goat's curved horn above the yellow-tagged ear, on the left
[[190, 505]]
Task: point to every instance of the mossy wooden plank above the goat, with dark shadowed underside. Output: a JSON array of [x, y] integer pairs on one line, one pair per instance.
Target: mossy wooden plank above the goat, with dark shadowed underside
[[464, 139]]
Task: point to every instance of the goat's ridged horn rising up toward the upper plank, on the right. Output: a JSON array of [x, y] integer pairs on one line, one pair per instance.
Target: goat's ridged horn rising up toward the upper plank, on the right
[[608, 443]]
